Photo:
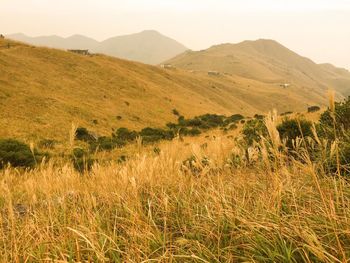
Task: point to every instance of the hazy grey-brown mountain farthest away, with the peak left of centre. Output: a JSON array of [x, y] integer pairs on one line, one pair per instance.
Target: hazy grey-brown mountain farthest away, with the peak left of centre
[[149, 46]]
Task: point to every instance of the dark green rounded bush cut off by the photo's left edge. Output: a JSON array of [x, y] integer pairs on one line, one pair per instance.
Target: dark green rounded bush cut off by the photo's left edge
[[16, 153]]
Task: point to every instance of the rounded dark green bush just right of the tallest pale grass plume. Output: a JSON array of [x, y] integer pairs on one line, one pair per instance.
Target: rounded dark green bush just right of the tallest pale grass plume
[[290, 129]]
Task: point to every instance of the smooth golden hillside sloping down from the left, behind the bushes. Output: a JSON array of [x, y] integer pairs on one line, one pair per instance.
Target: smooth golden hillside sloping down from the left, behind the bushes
[[42, 91]]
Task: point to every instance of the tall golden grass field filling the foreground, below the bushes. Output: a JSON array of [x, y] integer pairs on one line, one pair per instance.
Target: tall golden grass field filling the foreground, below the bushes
[[224, 204]]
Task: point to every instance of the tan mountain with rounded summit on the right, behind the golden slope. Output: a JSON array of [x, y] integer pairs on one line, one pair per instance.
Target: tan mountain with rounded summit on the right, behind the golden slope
[[269, 62]]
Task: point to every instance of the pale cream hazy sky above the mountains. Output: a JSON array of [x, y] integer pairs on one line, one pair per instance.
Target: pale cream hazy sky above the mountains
[[318, 29]]
